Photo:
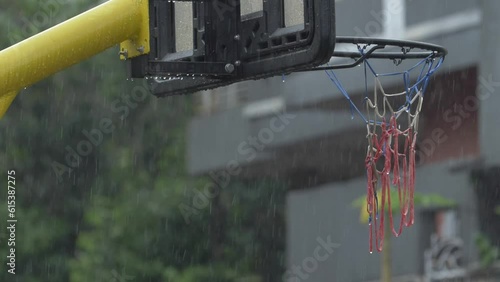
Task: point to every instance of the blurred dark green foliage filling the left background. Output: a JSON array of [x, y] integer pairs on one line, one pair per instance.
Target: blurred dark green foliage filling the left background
[[118, 209]]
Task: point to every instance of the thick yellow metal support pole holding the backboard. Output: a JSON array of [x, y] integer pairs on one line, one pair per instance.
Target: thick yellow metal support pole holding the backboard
[[73, 41]]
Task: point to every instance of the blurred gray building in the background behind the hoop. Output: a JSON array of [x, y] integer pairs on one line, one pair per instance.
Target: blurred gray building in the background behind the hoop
[[319, 151]]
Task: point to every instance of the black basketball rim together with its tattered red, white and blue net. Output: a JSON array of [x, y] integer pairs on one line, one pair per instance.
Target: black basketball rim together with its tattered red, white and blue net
[[390, 118]]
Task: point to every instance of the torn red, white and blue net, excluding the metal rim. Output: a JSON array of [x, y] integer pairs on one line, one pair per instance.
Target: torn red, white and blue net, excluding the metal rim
[[392, 133]]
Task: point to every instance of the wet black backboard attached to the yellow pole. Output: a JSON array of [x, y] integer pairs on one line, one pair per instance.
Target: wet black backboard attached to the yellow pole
[[198, 45]]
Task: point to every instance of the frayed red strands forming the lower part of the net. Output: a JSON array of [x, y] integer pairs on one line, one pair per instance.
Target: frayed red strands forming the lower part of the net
[[398, 164]]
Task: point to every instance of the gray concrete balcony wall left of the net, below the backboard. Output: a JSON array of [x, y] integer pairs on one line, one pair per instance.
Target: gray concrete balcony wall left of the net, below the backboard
[[217, 140]]
